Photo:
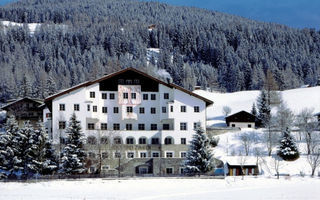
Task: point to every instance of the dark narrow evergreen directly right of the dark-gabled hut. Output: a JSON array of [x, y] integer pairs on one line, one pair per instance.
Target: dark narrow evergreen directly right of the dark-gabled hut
[[264, 108]]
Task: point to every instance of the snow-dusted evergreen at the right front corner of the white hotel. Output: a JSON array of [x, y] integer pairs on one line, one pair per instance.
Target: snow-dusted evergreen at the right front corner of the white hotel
[[199, 156]]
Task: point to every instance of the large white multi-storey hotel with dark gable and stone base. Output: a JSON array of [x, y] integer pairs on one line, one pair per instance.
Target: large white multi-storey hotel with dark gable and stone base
[[133, 123]]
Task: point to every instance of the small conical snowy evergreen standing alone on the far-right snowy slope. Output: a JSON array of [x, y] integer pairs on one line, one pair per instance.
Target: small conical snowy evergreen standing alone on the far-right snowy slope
[[288, 149]]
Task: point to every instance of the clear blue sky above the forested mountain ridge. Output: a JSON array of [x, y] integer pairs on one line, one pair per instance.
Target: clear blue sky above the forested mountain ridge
[[294, 13]]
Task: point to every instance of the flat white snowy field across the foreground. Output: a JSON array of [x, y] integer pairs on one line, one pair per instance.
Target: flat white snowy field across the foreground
[[160, 188]]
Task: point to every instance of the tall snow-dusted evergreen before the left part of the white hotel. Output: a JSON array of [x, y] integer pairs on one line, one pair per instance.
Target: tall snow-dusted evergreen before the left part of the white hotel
[[72, 161]]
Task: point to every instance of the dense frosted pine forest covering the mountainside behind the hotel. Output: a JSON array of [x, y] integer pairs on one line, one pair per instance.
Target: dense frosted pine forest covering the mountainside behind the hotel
[[79, 40]]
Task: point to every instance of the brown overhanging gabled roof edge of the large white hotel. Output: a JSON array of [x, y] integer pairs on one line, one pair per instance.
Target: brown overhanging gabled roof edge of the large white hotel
[[88, 83]]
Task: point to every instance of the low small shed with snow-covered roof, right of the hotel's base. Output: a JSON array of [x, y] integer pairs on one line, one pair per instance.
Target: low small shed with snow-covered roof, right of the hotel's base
[[241, 165]]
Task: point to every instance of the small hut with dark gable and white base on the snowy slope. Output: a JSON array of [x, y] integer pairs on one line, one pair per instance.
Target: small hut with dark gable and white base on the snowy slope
[[241, 119]]
